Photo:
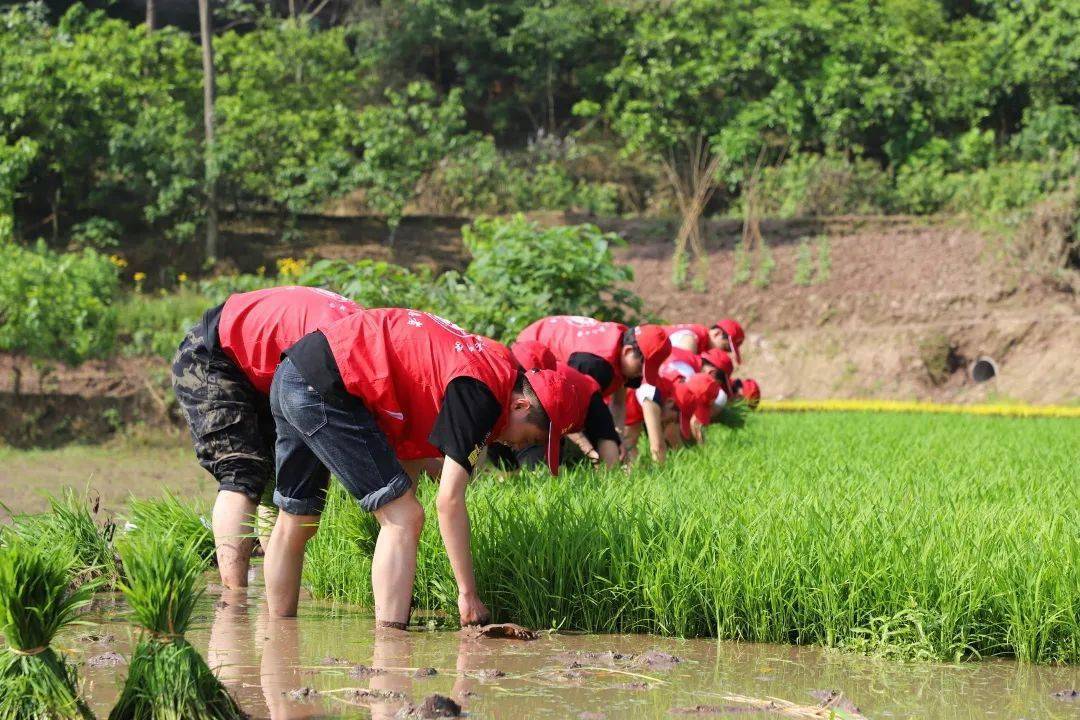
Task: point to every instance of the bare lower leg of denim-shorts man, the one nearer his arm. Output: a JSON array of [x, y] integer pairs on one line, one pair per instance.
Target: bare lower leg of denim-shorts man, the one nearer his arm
[[394, 567]]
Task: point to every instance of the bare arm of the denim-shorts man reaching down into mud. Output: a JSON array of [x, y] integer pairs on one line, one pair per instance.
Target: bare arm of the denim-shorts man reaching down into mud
[[454, 526]]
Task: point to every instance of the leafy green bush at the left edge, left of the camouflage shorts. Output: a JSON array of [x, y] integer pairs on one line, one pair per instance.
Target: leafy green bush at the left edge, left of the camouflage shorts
[[57, 306]]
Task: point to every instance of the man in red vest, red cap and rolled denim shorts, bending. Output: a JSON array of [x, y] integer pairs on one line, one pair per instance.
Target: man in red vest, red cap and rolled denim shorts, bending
[[380, 388]]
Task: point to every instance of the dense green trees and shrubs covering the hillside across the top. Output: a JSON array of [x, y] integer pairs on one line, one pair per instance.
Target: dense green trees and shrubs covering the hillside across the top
[[912, 106]]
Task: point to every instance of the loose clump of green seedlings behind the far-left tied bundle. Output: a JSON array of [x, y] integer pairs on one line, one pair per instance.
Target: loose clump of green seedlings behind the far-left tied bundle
[[70, 524]]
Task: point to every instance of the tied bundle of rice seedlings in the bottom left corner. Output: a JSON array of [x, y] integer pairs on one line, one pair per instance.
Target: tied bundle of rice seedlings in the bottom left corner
[[37, 601]]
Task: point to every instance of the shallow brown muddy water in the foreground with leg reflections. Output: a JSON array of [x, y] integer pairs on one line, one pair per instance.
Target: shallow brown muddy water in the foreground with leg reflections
[[334, 653]]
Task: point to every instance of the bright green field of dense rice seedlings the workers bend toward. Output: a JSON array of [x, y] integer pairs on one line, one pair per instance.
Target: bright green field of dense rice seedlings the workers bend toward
[[912, 536]]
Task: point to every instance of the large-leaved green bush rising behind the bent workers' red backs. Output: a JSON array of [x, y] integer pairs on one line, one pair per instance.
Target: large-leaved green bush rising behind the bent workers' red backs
[[521, 271]]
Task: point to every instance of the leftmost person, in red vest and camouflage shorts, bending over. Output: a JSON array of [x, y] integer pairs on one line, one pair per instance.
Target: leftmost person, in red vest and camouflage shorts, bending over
[[222, 378]]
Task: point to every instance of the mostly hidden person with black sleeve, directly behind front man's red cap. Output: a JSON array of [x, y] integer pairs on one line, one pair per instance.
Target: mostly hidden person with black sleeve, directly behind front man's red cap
[[593, 433]]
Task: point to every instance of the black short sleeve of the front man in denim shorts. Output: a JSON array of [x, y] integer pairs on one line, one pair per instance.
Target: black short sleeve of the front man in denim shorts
[[465, 424]]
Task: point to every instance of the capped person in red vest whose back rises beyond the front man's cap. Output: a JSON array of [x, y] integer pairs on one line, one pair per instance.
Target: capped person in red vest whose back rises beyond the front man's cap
[[614, 356]]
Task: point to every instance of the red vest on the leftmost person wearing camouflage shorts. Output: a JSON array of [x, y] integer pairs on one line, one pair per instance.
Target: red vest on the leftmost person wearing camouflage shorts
[[256, 328]]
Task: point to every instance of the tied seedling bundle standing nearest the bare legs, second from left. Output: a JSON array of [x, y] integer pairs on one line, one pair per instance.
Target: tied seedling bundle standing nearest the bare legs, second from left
[[168, 680]]
